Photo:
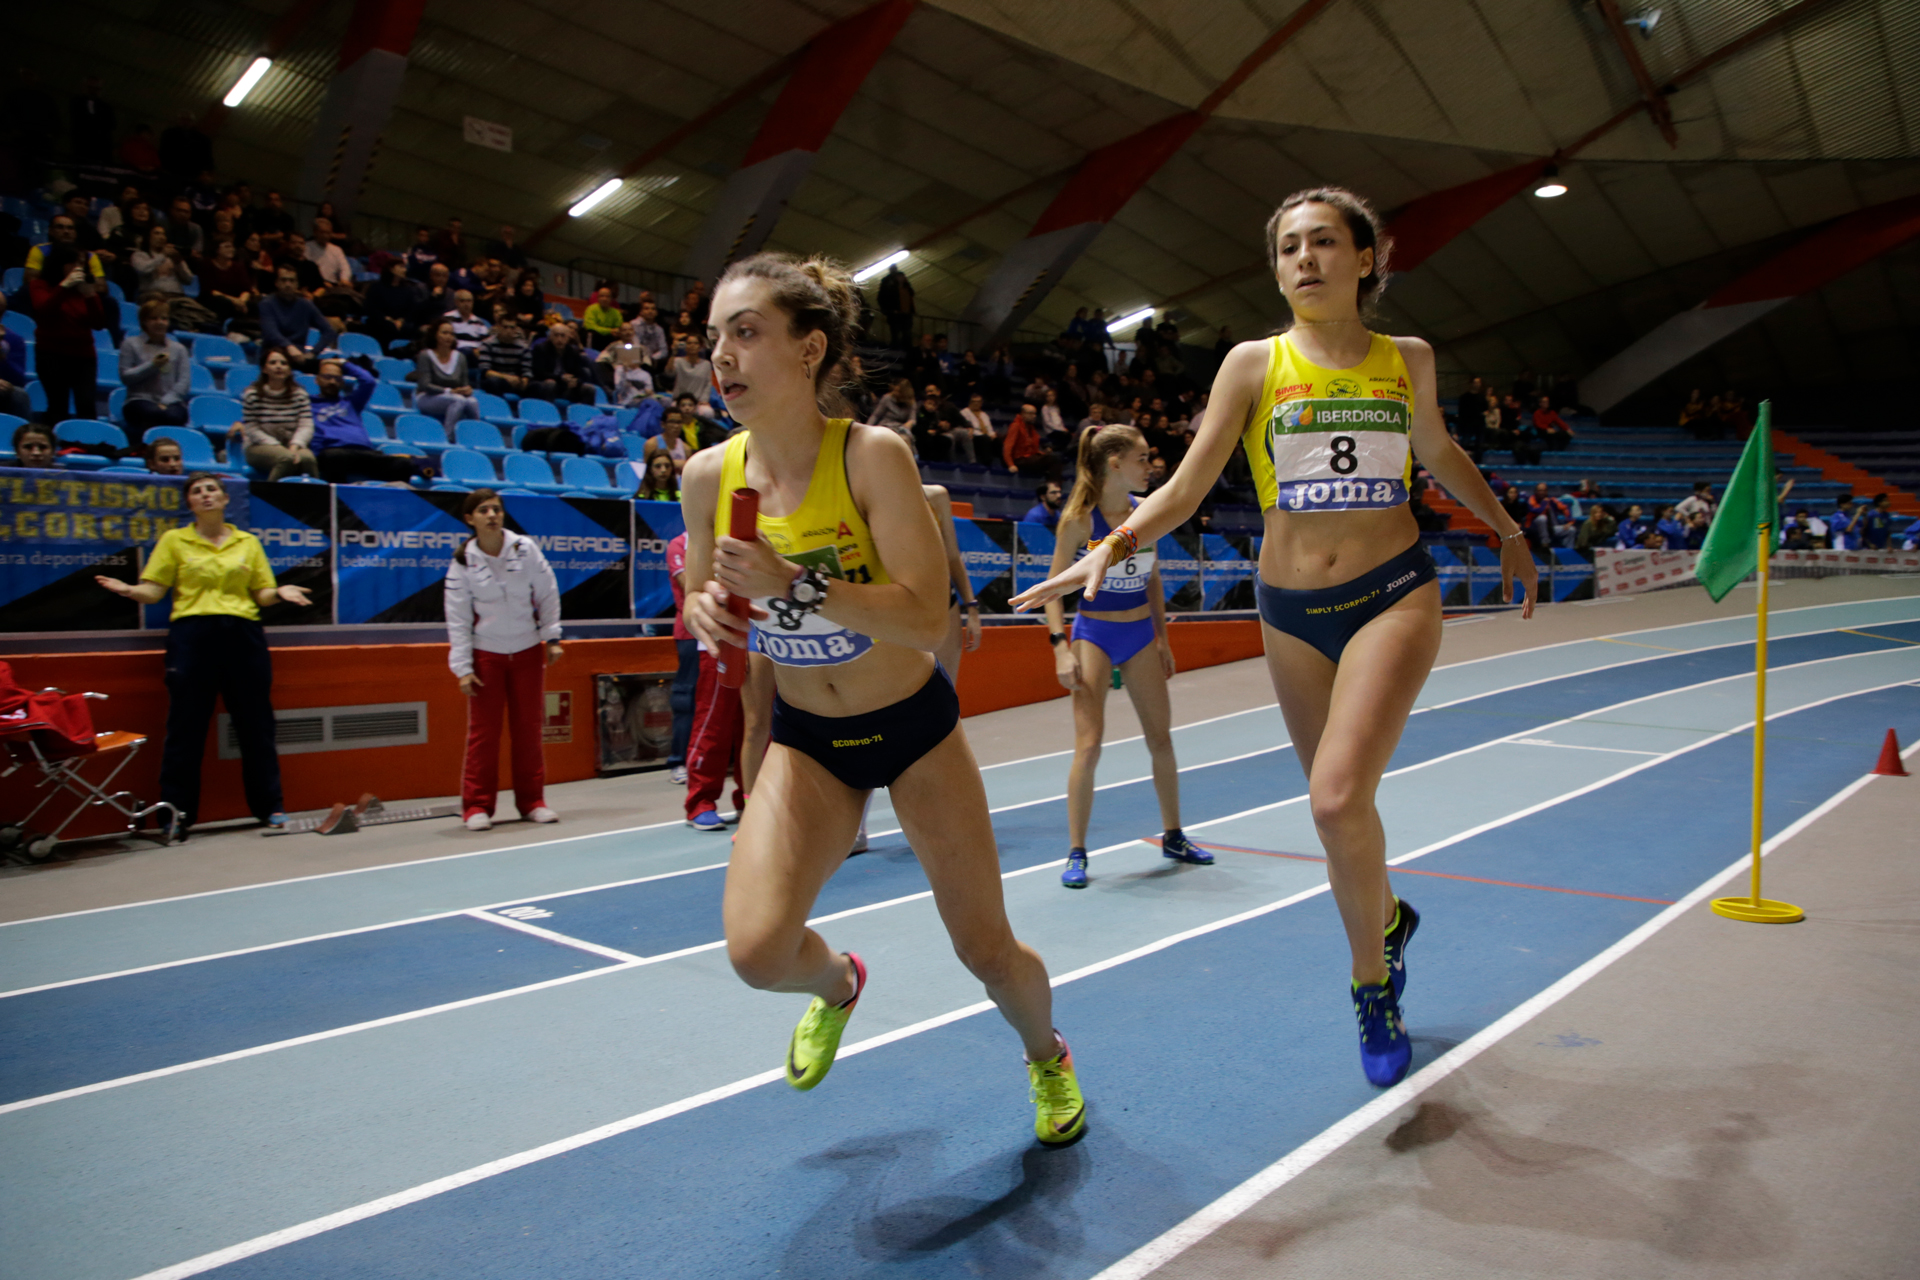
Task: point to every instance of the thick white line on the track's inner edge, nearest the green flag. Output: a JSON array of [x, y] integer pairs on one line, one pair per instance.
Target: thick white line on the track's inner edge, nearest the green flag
[[1237, 1202]]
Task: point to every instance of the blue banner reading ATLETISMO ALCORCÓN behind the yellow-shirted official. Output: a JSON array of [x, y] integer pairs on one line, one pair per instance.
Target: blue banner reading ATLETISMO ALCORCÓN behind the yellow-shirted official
[[60, 529]]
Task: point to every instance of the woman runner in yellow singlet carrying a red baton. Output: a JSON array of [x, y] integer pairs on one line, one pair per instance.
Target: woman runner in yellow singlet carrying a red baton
[[846, 584]]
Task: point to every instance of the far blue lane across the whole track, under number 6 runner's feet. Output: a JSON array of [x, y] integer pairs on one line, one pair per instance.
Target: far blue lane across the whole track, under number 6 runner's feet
[[116, 1028]]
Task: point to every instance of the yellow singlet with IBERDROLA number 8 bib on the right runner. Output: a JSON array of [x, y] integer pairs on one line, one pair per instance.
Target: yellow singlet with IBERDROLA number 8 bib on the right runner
[[1332, 439]]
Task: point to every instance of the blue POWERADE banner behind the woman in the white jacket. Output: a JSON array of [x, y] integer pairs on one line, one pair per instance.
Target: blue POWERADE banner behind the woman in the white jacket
[[395, 548]]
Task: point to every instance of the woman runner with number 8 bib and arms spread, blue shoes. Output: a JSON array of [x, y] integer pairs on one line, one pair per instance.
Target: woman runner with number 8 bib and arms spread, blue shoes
[[1332, 417]]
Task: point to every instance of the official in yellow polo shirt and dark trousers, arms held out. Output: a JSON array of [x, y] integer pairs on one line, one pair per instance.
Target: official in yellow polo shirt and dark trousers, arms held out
[[216, 648]]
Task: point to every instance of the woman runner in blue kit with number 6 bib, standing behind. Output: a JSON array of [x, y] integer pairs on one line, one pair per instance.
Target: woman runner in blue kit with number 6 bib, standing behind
[[1128, 630]]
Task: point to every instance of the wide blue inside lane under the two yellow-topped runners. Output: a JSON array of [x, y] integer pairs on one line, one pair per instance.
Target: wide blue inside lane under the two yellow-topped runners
[[1203, 1064]]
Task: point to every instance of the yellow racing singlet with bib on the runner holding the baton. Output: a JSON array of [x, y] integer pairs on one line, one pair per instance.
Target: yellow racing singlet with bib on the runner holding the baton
[[827, 533]]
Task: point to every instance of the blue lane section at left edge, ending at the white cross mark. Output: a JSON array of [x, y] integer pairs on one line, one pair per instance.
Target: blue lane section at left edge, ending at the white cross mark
[[101, 1031]]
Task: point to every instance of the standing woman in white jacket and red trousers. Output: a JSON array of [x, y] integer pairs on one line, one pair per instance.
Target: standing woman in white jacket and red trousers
[[504, 623]]
